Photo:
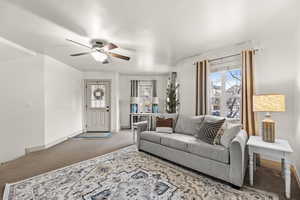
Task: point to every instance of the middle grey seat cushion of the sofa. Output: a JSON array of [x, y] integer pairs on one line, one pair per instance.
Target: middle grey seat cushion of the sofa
[[177, 141]]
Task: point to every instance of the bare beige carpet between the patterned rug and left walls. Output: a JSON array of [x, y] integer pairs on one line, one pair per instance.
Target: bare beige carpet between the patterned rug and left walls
[[61, 155]]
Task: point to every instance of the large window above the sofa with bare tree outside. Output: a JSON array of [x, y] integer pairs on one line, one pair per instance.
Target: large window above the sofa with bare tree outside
[[224, 88]]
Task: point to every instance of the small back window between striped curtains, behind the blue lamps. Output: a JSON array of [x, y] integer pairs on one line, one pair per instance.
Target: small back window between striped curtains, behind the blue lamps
[[145, 95]]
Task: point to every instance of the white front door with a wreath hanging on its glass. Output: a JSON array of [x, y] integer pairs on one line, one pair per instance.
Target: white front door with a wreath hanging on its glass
[[97, 105]]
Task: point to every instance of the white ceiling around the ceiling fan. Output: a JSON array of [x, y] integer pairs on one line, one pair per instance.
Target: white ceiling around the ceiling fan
[[161, 32]]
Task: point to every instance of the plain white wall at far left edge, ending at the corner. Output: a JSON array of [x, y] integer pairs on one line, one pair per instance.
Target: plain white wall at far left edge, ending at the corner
[[21, 106]]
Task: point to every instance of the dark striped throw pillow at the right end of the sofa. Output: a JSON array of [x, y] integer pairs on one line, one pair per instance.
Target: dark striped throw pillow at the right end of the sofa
[[209, 130]]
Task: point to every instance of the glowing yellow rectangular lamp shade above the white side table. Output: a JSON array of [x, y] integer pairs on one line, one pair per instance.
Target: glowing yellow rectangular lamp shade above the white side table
[[269, 103]]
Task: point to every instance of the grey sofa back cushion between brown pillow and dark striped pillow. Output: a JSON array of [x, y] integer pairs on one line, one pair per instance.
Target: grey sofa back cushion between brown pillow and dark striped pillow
[[188, 124]]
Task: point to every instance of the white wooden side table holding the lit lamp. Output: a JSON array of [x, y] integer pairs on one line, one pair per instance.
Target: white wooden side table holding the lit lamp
[[280, 150]]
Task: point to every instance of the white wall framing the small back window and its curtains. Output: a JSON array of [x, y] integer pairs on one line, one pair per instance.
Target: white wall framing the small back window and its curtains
[[125, 93]]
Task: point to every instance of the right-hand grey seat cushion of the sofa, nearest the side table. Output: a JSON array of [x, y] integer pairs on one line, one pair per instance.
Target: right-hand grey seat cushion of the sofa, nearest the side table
[[214, 152]]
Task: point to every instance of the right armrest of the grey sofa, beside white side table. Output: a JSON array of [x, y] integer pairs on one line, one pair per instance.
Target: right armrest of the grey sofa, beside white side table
[[238, 158]]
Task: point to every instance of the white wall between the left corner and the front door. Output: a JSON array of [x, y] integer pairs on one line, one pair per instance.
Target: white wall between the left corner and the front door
[[63, 100]]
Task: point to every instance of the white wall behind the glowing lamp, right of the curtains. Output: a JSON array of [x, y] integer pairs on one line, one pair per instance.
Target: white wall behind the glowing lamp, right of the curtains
[[275, 72]]
